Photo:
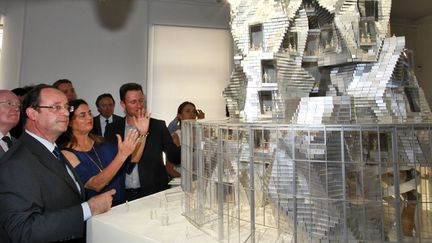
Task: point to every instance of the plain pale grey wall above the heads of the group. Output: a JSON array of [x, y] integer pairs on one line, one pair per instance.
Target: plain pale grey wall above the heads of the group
[[45, 40]]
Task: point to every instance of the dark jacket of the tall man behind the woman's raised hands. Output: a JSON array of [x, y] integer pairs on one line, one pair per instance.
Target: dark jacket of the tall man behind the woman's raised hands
[[152, 172]]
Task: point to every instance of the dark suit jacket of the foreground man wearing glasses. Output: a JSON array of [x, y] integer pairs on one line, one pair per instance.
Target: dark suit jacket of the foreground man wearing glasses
[[39, 201]]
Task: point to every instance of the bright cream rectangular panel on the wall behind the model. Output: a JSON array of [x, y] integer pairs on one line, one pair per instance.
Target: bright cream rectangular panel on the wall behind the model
[[188, 64]]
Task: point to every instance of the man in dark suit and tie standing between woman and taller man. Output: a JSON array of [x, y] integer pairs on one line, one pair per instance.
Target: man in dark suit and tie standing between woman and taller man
[[105, 104]]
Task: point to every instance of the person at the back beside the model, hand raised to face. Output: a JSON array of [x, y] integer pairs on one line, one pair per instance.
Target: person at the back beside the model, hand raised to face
[[186, 111]]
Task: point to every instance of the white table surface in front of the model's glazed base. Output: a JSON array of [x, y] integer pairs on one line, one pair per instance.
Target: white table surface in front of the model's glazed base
[[142, 221]]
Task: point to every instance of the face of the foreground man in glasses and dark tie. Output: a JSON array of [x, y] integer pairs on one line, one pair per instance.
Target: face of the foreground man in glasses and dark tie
[[49, 122]]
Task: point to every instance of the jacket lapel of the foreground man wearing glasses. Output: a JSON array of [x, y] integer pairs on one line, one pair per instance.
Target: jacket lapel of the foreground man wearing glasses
[[47, 159]]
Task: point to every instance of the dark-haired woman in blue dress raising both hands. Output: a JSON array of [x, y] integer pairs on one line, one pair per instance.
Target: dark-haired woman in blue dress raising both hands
[[99, 164]]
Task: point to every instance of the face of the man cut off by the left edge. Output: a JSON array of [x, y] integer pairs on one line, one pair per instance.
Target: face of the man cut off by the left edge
[[9, 109]]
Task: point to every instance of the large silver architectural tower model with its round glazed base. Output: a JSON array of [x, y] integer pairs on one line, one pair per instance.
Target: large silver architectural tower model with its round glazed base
[[329, 137]]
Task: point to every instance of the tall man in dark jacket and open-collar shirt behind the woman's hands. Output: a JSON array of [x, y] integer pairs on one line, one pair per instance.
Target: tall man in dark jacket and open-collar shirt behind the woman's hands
[[149, 175]]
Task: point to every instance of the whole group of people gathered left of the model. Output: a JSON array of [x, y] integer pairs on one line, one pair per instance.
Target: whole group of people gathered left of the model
[[60, 165]]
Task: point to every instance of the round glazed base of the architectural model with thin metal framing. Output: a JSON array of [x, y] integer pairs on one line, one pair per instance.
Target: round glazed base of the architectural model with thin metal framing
[[261, 182]]
